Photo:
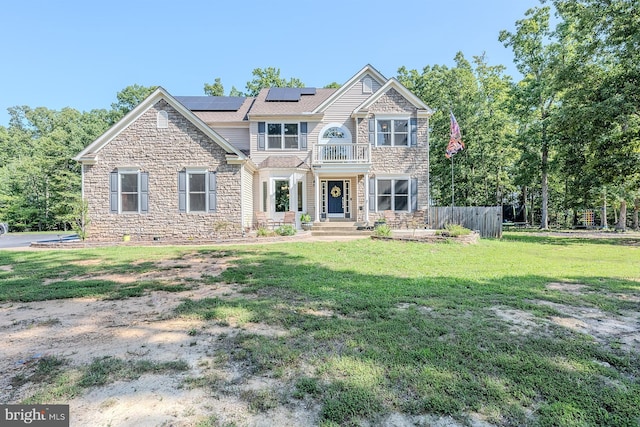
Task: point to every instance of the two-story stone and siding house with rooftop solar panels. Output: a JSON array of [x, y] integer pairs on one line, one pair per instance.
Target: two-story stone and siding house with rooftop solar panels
[[202, 166]]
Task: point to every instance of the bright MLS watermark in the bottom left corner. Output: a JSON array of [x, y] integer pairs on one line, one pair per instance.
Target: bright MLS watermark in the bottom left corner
[[34, 415]]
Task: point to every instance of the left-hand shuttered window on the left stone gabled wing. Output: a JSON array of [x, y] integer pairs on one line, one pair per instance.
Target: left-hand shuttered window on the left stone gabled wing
[[128, 191]]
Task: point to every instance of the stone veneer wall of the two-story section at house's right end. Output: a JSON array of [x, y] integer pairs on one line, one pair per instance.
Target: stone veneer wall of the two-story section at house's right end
[[411, 161]]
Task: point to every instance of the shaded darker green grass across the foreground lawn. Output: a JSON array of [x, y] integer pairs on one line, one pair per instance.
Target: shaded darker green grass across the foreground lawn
[[382, 343]]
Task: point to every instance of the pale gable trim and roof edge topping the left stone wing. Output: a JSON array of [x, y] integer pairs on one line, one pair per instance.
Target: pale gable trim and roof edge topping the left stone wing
[[91, 151]]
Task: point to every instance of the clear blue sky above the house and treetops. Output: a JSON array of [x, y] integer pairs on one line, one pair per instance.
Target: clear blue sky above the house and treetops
[[80, 54]]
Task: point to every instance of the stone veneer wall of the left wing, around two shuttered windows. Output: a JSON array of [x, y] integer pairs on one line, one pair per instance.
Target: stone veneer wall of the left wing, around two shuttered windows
[[163, 153]]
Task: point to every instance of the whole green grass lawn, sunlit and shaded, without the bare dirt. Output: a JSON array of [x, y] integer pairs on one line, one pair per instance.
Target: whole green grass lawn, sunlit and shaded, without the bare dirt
[[375, 327]]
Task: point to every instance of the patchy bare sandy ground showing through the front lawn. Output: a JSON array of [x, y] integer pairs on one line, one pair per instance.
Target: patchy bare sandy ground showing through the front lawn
[[81, 330]]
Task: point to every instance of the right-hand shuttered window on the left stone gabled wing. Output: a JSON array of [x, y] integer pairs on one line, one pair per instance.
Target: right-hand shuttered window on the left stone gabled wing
[[197, 191]]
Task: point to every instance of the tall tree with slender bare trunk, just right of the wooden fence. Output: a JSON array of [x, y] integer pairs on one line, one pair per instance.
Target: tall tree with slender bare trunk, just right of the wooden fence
[[536, 57]]
